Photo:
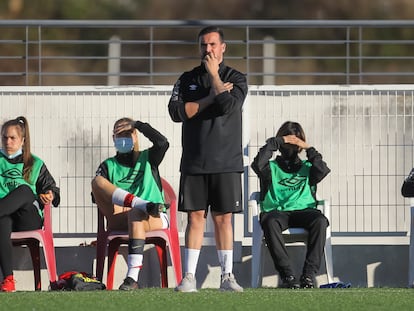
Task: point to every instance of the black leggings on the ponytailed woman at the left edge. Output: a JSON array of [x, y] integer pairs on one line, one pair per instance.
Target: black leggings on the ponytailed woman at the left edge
[[17, 213]]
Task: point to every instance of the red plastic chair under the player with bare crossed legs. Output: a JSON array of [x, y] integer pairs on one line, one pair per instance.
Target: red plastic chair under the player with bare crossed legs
[[109, 242]]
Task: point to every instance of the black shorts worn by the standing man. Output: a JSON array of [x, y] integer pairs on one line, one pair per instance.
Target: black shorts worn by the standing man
[[222, 193]]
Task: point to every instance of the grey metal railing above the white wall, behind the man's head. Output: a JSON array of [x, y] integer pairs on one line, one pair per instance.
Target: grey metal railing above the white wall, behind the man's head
[[75, 52]]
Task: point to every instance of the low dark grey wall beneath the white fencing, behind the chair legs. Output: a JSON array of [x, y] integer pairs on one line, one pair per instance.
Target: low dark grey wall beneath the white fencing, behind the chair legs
[[361, 265]]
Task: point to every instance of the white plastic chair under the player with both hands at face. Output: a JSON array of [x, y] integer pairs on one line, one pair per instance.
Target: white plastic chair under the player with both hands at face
[[291, 235]]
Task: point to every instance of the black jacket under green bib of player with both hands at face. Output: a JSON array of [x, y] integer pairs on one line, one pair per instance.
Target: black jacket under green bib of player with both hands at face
[[261, 166]]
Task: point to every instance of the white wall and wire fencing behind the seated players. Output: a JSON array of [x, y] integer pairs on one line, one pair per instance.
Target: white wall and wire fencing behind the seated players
[[365, 133]]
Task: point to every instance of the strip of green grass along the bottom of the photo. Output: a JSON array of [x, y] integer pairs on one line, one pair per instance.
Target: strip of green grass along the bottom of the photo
[[274, 299]]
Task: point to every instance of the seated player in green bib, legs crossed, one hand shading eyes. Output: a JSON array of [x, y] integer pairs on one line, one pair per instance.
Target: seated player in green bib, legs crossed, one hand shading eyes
[[128, 190]]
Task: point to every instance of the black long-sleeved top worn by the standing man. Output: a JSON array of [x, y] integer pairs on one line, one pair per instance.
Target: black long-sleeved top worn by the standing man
[[211, 140]]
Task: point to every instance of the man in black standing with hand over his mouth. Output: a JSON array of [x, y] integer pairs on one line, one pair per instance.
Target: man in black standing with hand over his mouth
[[208, 101]]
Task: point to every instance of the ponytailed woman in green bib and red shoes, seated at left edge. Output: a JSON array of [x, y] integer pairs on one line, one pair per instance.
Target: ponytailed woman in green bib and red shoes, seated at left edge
[[25, 187]]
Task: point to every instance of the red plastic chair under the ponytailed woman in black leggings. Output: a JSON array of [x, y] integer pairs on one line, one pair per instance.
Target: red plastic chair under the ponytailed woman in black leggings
[[33, 239]]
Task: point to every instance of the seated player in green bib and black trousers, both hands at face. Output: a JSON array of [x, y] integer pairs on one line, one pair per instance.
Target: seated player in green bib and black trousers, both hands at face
[[288, 199]]
